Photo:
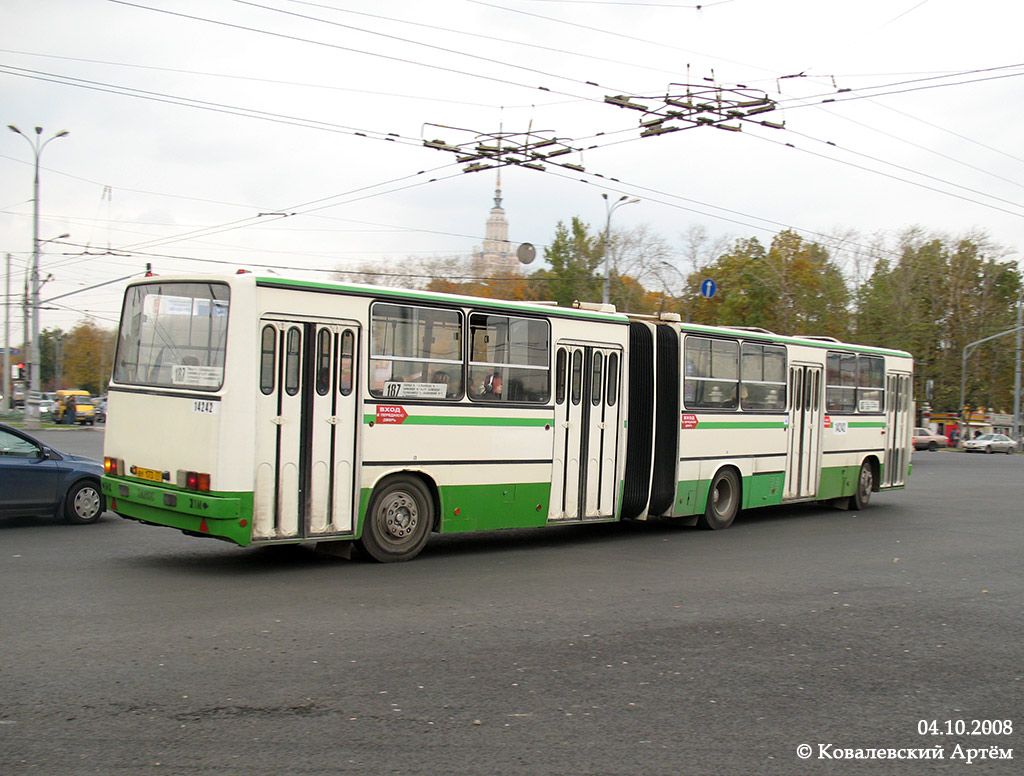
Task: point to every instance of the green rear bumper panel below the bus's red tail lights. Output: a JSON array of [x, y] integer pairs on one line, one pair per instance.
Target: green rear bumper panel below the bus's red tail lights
[[227, 516]]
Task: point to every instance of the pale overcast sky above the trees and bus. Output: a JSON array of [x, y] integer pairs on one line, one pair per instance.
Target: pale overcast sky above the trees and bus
[[193, 121]]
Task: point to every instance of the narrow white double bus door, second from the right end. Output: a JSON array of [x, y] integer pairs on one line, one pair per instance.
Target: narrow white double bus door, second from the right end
[[803, 461]]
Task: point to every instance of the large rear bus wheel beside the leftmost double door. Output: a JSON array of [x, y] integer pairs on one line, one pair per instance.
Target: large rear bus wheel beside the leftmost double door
[[399, 522]]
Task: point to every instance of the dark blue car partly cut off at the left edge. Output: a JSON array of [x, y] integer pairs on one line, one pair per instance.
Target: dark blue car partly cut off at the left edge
[[39, 481]]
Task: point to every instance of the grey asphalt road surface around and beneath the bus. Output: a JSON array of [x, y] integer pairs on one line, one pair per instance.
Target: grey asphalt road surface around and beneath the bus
[[643, 649]]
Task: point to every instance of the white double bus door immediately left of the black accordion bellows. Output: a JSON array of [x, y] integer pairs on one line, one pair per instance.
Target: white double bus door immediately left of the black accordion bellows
[[585, 479]]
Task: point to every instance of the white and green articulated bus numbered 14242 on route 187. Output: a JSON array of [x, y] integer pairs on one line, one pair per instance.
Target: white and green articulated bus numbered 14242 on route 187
[[269, 411]]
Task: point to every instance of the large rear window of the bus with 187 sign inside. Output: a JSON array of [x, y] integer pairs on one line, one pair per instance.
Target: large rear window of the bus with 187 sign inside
[[174, 335]]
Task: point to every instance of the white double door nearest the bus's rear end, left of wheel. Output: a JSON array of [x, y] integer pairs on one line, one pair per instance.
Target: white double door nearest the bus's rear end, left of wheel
[[306, 429]]
